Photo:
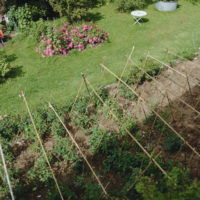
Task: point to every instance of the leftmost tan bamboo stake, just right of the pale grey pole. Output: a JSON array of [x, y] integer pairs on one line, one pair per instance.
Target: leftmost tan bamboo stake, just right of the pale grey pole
[[42, 147]]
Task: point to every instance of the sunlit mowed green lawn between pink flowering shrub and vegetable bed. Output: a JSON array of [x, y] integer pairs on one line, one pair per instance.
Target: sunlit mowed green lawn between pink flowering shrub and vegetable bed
[[57, 79]]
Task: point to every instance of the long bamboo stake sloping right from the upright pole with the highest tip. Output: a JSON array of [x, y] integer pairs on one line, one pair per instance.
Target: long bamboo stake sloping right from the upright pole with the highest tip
[[188, 105]]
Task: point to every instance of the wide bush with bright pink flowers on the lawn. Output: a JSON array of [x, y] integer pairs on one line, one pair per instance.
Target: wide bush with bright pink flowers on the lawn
[[55, 41]]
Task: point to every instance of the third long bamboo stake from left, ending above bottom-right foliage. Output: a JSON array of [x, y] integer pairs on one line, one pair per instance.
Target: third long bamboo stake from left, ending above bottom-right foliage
[[128, 132]]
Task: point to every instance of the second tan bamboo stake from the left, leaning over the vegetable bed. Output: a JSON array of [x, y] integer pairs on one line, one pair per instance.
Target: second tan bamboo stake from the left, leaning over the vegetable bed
[[76, 144]]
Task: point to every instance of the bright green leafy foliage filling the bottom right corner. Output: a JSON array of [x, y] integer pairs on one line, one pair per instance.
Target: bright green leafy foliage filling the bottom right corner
[[179, 187]]
